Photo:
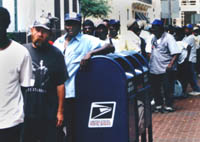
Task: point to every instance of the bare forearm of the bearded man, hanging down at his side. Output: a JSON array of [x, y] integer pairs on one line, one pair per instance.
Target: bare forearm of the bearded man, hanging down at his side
[[61, 94]]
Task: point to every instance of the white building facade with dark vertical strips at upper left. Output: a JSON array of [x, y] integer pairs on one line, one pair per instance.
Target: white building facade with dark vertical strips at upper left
[[24, 12]]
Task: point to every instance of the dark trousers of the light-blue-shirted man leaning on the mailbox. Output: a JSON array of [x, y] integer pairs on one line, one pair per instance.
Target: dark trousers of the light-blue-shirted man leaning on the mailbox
[[69, 117]]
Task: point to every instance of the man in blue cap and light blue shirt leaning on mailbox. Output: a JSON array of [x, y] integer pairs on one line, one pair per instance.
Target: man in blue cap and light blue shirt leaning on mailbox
[[77, 48]]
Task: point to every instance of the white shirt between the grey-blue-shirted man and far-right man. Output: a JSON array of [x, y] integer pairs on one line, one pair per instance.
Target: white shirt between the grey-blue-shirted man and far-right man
[[183, 46]]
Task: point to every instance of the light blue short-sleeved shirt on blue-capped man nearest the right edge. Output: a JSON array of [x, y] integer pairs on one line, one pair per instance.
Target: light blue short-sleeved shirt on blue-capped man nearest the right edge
[[190, 40]]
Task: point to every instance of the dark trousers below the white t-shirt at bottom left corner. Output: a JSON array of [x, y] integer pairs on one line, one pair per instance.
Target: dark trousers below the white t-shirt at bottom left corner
[[10, 134]]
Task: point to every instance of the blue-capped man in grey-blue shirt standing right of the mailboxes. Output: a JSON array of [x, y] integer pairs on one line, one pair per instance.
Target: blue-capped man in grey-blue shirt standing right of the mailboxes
[[162, 64]]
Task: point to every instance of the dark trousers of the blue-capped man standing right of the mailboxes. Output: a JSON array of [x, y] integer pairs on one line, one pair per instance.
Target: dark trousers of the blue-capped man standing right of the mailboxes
[[166, 81]]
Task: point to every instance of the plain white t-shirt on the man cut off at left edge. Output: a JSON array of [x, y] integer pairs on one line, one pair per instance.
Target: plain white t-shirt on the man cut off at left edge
[[16, 71]]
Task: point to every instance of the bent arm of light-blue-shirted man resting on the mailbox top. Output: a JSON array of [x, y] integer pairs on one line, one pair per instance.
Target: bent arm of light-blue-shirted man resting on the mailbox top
[[107, 48]]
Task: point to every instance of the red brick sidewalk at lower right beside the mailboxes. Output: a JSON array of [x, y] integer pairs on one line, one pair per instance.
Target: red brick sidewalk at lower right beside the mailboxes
[[180, 126]]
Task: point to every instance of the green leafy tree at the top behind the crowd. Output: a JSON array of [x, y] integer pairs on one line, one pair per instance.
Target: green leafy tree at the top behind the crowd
[[94, 8]]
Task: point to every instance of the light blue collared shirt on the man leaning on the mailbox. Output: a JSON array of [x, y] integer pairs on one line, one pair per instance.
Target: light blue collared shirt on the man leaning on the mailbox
[[76, 49]]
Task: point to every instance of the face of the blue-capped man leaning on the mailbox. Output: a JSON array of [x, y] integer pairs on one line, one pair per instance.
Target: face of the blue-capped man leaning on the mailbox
[[72, 28]]
